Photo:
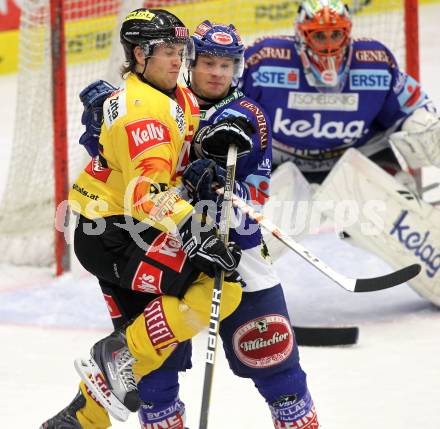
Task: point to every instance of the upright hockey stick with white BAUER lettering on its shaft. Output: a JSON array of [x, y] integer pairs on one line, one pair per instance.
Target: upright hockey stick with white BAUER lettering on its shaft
[[214, 323]]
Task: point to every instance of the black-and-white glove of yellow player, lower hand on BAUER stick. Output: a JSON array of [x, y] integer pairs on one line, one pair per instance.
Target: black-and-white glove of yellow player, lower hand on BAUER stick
[[207, 252]]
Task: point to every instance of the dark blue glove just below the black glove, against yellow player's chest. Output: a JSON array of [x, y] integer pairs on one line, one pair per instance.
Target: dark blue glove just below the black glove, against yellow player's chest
[[201, 177]]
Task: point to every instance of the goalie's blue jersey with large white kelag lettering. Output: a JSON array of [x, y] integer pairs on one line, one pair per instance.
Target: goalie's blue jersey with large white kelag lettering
[[314, 128]]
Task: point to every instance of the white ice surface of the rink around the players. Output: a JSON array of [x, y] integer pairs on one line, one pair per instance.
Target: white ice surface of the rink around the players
[[389, 380]]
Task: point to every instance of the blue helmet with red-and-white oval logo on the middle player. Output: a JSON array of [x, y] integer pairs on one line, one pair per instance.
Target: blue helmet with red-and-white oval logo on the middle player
[[219, 40]]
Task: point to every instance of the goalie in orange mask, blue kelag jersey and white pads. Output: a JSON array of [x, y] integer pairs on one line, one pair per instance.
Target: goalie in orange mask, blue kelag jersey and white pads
[[327, 95]]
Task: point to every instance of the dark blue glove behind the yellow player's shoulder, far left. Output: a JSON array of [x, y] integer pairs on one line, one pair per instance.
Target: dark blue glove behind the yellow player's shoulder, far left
[[93, 97]]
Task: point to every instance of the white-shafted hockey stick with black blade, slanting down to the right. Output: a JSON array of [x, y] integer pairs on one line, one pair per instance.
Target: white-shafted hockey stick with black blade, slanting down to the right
[[350, 284]]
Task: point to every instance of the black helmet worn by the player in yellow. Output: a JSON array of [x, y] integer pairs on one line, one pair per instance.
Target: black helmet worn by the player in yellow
[[150, 27]]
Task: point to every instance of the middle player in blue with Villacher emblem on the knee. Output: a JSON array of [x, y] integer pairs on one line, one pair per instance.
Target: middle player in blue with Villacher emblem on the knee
[[258, 339]]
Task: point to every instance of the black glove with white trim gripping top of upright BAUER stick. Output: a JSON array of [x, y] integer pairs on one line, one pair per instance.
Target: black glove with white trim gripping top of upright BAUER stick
[[213, 141]]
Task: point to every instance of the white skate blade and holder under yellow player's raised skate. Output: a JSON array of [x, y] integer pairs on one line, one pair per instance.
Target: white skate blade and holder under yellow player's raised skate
[[92, 376]]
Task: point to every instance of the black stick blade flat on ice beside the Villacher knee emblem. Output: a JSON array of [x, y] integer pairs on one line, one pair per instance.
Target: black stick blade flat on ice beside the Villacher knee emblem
[[325, 336]]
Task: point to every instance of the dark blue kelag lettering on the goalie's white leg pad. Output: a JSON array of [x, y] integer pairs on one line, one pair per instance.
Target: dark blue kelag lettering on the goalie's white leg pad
[[417, 243]]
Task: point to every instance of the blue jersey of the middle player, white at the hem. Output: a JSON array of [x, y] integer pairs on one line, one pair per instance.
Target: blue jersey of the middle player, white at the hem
[[252, 179]]
